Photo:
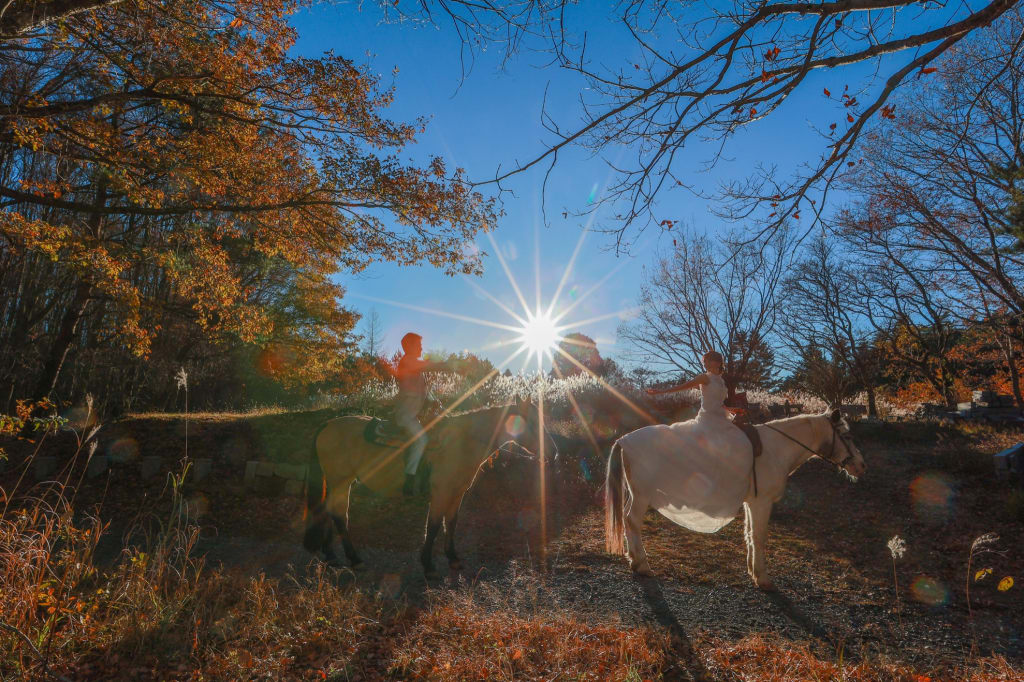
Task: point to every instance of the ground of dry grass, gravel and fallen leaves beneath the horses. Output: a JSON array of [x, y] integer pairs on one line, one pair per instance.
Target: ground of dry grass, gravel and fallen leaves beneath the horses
[[167, 579]]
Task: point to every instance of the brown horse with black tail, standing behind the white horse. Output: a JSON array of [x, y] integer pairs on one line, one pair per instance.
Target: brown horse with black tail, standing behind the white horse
[[459, 445]]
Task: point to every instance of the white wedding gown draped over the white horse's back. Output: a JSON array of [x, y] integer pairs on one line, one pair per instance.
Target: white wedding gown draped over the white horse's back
[[698, 473]]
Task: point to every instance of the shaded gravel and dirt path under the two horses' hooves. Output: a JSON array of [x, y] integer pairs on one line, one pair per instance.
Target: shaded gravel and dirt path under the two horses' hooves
[[827, 549]]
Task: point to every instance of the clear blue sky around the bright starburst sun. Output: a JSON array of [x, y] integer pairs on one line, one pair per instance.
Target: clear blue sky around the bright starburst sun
[[492, 119]]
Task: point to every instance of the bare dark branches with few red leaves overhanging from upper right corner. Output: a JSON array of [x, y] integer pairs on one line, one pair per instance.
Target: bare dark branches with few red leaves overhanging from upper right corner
[[738, 67]]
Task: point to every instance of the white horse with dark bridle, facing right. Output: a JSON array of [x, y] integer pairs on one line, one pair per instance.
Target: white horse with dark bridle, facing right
[[639, 479]]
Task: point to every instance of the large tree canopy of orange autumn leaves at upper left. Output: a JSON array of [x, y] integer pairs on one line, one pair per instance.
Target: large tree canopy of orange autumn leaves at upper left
[[172, 163]]
